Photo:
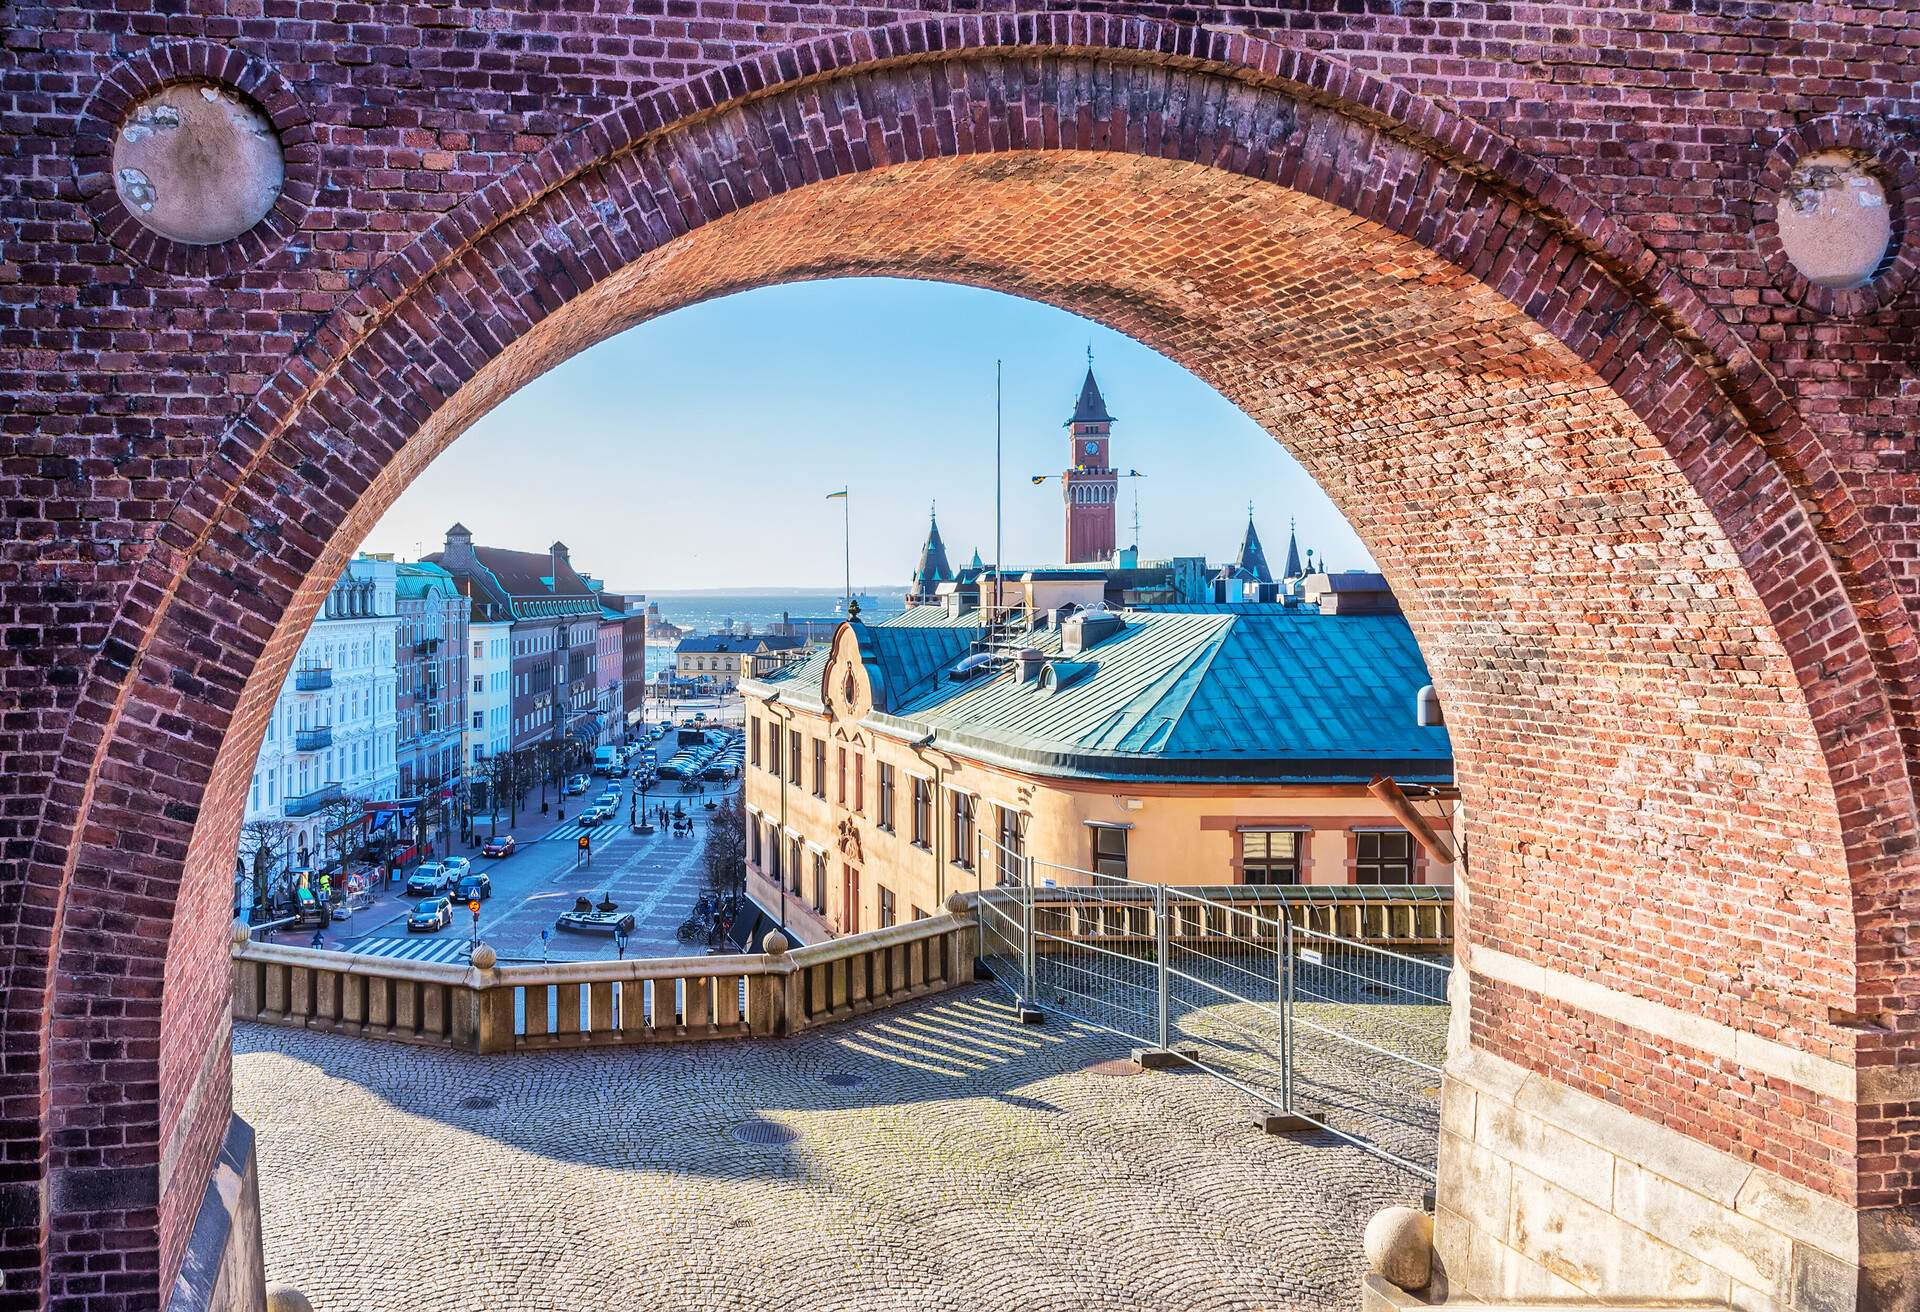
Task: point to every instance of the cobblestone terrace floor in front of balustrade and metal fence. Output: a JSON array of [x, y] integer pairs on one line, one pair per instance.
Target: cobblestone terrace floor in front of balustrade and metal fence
[[944, 1157]]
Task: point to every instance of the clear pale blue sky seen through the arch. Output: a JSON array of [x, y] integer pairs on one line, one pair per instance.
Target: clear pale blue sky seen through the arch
[[698, 450]]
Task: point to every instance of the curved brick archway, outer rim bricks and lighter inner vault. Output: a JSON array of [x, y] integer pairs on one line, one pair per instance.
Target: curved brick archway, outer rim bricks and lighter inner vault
[[1652, 610]]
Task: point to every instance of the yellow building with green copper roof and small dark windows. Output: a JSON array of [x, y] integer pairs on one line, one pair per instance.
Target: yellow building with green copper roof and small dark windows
[[900, 767]]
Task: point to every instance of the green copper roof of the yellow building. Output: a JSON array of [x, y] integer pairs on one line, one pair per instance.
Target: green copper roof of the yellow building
[[1199, 692]]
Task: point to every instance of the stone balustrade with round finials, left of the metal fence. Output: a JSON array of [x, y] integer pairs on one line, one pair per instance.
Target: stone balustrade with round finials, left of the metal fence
[[491, 1008]]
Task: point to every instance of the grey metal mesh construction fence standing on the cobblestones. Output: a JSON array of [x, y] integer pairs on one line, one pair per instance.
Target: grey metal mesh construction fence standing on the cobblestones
[[1253, 984]]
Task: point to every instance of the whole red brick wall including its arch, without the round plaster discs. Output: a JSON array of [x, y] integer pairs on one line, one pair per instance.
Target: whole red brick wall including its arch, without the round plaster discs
[[1654, 533]]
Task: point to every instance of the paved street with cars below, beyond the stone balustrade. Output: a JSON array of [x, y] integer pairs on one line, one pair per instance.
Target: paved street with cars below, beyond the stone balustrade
[[654, 877]]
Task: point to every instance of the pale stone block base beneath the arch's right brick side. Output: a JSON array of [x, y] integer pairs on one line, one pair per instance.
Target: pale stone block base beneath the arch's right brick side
[[1550, 1194]]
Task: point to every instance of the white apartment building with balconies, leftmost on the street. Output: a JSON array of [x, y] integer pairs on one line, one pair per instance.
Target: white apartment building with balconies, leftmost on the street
[[335, 727]]
